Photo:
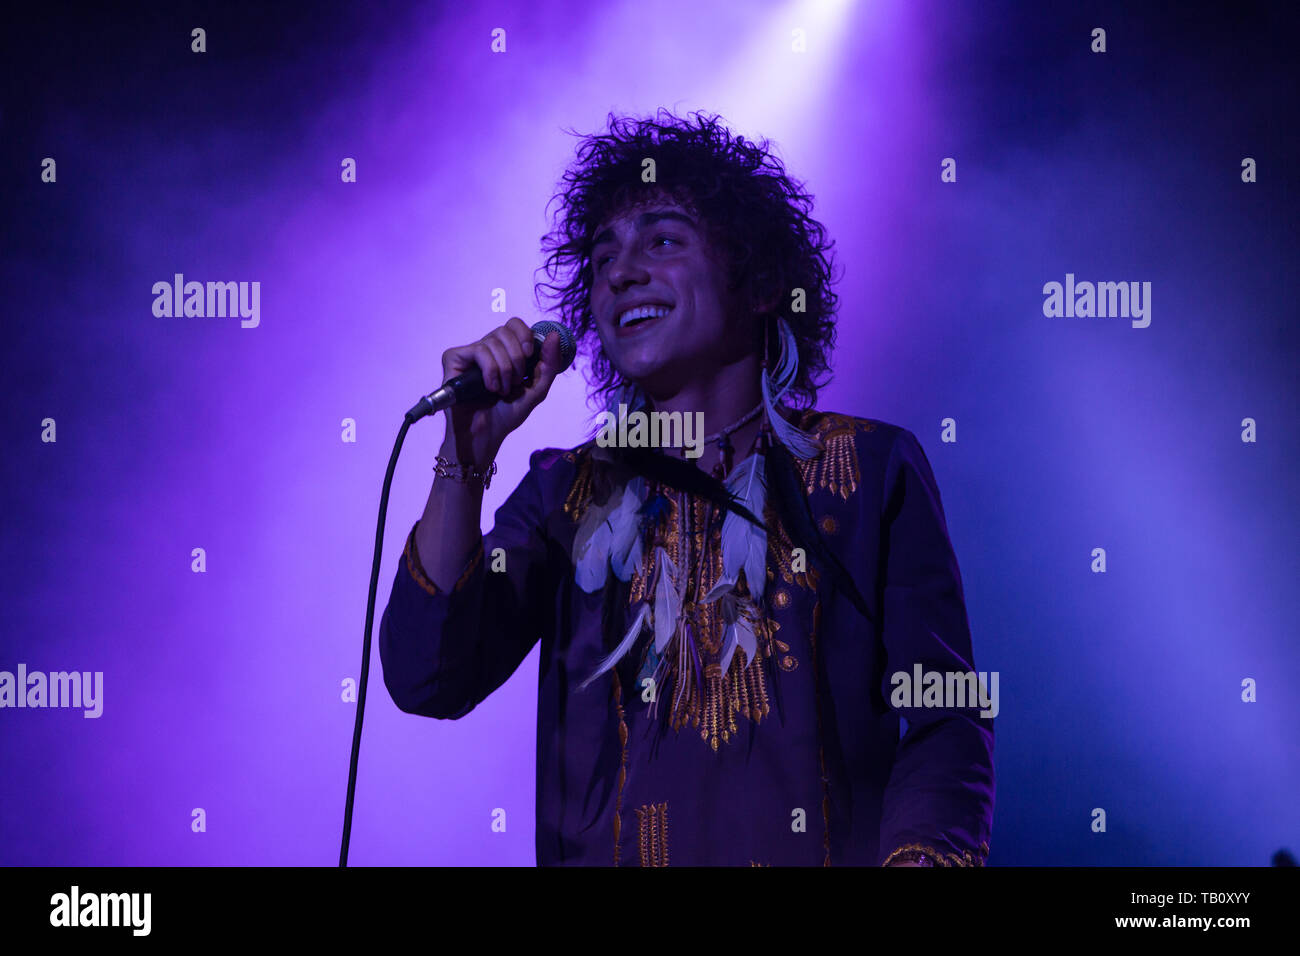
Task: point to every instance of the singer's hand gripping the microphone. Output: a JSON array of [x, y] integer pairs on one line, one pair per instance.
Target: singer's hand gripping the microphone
[[475, 432]]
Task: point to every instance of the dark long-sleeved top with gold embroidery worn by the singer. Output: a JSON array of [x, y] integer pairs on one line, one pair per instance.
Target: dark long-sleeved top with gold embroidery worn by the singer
[[796, 760]]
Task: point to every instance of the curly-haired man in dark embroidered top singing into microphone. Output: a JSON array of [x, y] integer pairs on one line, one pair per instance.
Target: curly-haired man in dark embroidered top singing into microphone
[[722, 635]]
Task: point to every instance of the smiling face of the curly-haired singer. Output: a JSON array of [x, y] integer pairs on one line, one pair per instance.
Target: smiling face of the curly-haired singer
[[660, 299]]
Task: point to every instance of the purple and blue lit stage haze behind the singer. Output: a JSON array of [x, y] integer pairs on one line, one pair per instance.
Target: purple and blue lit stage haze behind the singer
[[224, 691]]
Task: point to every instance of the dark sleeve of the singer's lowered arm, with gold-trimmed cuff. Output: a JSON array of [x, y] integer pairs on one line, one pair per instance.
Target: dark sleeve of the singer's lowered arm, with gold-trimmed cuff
[[939, 802]]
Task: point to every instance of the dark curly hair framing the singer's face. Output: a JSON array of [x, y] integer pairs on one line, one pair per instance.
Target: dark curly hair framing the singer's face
[[757, 218]]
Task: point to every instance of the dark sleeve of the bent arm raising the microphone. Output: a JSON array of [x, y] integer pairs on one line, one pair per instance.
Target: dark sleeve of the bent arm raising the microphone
[[445, 651]]
